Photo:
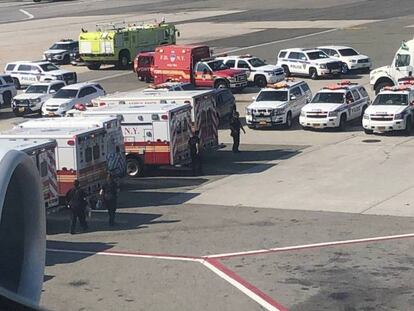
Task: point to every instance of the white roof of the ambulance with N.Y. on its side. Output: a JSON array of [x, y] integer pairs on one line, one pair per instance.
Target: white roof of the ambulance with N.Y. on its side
[[133, 109]]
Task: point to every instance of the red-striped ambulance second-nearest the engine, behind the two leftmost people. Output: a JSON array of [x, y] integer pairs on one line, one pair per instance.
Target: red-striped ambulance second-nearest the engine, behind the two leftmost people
[[80, 154]]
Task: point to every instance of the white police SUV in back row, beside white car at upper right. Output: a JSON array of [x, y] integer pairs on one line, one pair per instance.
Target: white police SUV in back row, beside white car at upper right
[[308, 62]]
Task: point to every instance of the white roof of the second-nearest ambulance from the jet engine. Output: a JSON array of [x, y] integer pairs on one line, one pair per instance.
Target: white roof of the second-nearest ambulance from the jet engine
[[20, 132]]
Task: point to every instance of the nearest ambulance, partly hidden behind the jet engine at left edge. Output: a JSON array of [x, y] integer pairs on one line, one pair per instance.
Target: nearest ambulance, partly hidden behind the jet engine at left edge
[[42, 152]]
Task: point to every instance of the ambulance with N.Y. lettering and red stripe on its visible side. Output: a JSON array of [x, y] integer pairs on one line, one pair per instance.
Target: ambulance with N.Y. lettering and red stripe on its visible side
[[154, 135]]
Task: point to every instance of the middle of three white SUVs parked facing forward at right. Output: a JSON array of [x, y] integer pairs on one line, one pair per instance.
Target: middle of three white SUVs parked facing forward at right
[[334, 105]]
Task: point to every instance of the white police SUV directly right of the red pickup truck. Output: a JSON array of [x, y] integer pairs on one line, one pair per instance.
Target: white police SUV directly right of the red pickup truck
[[257, 70]]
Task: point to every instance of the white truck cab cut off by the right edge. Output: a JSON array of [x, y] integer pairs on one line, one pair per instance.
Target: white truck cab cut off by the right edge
[[401, 66]]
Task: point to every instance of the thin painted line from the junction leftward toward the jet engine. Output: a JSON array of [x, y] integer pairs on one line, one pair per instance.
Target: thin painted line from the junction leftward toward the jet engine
[[127, 254]]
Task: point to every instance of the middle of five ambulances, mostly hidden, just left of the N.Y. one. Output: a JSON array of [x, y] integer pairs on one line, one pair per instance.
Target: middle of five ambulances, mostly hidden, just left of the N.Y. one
[[115, 150]]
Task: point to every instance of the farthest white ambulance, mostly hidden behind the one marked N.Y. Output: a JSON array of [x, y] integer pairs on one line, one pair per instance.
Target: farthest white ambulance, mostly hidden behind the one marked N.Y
[[204, 114]]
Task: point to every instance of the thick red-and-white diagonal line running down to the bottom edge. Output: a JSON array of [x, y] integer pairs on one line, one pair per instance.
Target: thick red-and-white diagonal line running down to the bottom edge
[[247, 288]]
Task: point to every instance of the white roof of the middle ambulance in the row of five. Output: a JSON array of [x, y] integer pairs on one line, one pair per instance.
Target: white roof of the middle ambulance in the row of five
[[68, 122]]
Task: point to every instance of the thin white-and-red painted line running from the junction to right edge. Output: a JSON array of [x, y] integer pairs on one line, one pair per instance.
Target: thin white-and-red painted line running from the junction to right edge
[[309, 246]]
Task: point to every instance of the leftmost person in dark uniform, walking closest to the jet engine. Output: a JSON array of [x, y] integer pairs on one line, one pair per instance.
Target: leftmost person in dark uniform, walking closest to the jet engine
[[76, 199]]
